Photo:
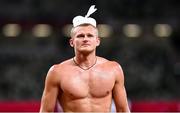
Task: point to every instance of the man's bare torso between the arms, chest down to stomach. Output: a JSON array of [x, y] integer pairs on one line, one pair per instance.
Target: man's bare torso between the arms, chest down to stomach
[[87, 91]]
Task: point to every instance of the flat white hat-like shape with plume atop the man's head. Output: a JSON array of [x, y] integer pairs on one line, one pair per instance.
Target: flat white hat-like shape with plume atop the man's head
[[79, 20]]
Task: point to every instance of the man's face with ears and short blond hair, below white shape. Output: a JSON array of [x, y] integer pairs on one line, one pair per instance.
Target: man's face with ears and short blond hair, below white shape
[[84, 38]]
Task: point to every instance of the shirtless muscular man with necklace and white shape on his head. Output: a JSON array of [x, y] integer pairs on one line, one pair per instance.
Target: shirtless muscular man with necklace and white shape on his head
[[86, 82]]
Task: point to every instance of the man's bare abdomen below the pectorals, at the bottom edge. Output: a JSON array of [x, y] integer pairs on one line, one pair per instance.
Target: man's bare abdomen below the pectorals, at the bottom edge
[[88, 104]]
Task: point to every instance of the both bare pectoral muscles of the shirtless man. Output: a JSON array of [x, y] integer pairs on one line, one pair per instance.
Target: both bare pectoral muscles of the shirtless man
[[89, 83]]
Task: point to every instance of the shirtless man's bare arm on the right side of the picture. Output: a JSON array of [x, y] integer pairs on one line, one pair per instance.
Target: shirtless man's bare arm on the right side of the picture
[[119, 91]]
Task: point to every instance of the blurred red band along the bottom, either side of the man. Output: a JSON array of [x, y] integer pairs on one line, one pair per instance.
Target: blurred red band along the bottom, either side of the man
[[136, 106]]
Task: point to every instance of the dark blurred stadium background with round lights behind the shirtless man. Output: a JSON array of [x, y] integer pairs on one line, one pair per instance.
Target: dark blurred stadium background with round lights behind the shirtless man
[[142, 35]]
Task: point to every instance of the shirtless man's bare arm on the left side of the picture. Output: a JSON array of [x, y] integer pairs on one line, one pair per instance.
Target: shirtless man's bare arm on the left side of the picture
[[50, 92]]
